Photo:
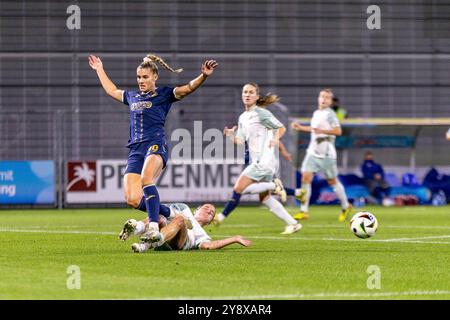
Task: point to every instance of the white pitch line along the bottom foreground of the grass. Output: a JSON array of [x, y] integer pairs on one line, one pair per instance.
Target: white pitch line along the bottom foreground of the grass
[[311, 295]]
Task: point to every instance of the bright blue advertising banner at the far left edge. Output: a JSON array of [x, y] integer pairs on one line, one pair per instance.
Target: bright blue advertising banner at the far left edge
[[27, 182]]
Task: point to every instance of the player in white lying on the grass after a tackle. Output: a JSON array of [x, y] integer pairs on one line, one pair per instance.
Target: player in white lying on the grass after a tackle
[[181, 231]]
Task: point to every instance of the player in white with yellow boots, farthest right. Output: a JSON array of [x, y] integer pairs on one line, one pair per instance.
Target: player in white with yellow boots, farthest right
[[321, 154]]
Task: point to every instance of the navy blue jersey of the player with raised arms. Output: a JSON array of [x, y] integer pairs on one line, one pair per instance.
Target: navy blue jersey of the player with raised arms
[[148, 113]]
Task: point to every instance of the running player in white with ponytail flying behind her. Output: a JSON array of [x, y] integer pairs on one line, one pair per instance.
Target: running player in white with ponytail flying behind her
[[262, 132]]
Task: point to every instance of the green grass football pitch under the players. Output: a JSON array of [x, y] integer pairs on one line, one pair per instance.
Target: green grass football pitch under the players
[[324, 260]]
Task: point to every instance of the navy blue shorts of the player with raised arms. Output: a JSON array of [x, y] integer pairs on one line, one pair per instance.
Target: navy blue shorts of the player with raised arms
[[140, 151]]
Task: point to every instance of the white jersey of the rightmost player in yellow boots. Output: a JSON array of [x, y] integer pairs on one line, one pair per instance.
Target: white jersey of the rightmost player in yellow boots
[[322, 145]]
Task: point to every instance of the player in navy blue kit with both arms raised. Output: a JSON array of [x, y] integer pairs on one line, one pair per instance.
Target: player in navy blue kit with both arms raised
[[149, 107]]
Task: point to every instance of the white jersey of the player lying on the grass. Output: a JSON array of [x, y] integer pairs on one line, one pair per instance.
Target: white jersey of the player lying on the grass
[[197, 235]]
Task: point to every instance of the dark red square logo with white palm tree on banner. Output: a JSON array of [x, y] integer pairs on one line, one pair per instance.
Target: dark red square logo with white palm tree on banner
[[82, 176]]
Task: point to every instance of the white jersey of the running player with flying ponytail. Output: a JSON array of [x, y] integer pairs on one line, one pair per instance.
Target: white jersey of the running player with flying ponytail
[[256, 126]]
